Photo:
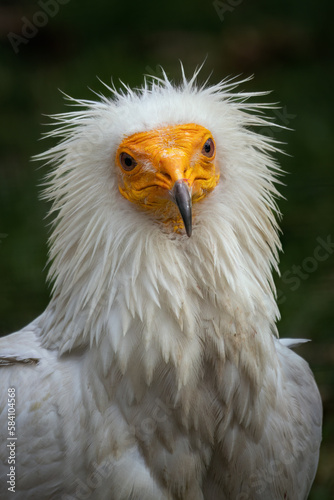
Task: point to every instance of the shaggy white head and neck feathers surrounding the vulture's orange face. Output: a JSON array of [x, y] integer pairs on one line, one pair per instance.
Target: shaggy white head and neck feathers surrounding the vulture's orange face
[[100, 262]]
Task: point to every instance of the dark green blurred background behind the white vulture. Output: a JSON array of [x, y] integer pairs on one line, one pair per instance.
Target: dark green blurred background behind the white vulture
[[288, 45]]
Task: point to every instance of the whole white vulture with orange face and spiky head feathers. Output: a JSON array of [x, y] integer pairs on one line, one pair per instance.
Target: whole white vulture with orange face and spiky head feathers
[[156, 371]]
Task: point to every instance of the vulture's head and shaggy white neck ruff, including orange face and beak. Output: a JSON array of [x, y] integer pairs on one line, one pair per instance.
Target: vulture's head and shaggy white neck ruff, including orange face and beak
[[164, 222]]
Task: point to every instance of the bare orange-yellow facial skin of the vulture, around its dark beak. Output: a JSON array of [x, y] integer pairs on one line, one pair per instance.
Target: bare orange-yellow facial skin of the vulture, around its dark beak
[[151, 162]]
